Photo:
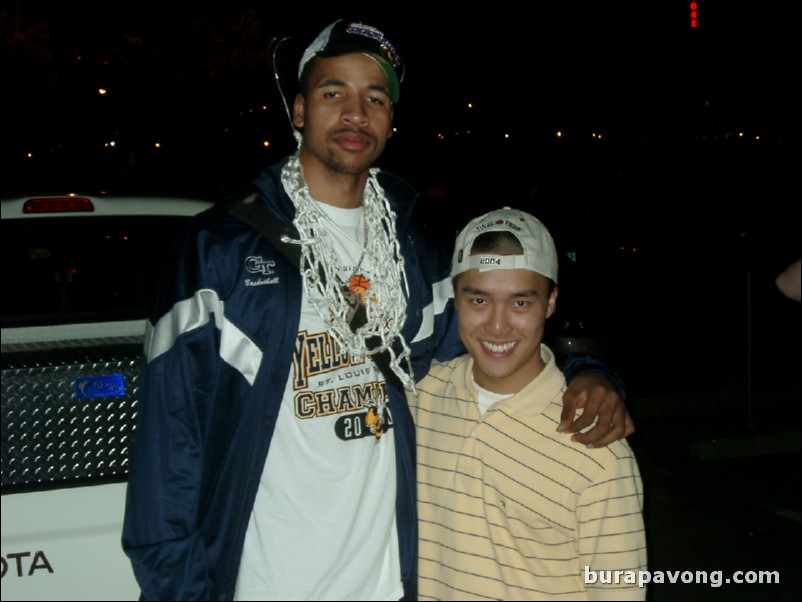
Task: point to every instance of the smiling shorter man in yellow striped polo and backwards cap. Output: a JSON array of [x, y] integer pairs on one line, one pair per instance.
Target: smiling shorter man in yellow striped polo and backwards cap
[[508, 507]]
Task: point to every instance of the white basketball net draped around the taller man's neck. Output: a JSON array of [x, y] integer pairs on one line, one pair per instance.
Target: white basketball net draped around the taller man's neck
[[386, 304]]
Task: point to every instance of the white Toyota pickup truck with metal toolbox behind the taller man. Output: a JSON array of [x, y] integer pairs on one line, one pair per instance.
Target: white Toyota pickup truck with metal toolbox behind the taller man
[[78, 271]]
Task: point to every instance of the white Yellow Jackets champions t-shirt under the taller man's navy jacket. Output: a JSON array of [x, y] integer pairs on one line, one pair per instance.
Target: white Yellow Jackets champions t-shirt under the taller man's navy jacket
[[323, 525]]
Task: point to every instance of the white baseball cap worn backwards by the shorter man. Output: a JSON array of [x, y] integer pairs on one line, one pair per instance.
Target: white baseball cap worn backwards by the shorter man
[[540, 253]]
